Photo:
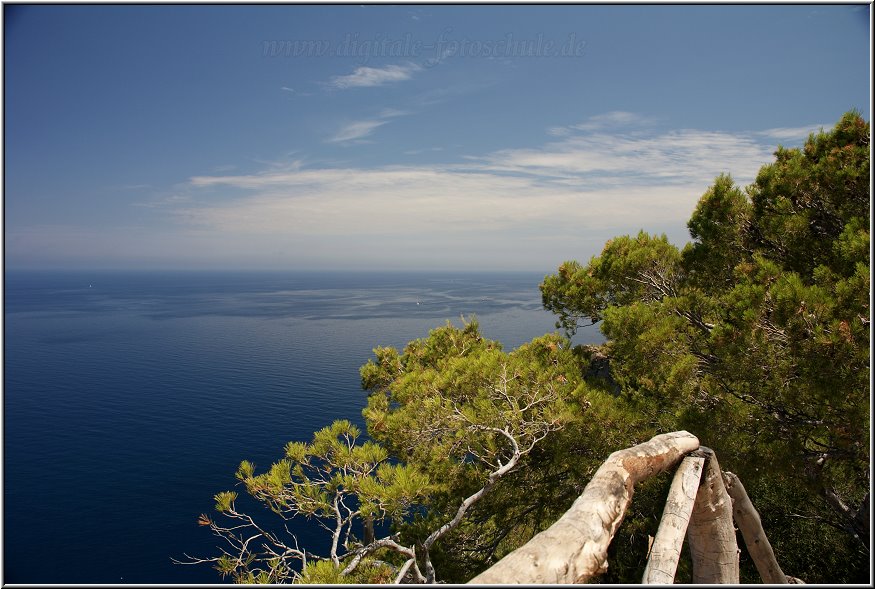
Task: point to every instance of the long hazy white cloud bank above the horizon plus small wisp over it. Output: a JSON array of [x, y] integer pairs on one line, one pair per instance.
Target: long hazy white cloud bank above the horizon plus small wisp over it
[[545, 203]]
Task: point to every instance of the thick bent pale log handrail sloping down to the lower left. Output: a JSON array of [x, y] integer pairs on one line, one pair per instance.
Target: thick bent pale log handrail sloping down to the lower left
[[575, 547]]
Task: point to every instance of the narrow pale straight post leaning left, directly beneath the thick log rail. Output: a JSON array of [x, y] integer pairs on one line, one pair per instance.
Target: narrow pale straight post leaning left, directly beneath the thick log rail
[[666, 549]]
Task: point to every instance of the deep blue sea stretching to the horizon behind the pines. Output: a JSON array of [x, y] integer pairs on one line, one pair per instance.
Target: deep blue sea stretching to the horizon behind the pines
[[129, 399]]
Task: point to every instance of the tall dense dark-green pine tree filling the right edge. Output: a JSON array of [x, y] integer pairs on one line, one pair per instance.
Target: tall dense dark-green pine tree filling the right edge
[[755, 337]]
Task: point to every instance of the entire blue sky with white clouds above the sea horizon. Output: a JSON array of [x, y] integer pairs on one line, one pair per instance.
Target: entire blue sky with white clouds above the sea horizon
[[397, 137]]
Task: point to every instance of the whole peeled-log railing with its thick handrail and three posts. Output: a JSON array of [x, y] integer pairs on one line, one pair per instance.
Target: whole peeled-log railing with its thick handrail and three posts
[[701, 504]]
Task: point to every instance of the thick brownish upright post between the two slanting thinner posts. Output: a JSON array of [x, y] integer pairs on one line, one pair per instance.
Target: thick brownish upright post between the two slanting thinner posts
[[711, 533]]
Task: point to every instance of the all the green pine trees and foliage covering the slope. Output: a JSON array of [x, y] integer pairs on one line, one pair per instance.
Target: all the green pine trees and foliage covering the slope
[[754, 337]]
